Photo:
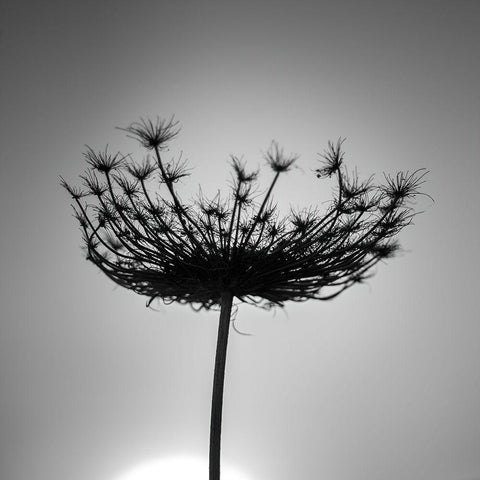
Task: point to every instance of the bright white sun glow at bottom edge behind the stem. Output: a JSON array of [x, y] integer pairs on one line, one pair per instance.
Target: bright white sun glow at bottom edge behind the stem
[[178, 468]]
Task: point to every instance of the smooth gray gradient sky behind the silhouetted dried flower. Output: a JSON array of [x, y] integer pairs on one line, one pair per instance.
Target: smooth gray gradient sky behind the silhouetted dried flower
[[382, 383]]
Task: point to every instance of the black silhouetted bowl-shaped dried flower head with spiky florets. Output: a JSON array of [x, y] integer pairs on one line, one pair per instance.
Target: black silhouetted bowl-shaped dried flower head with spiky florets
[[158, 246]]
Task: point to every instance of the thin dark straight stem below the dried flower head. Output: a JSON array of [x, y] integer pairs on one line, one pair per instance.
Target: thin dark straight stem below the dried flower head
[[218, 381]]
